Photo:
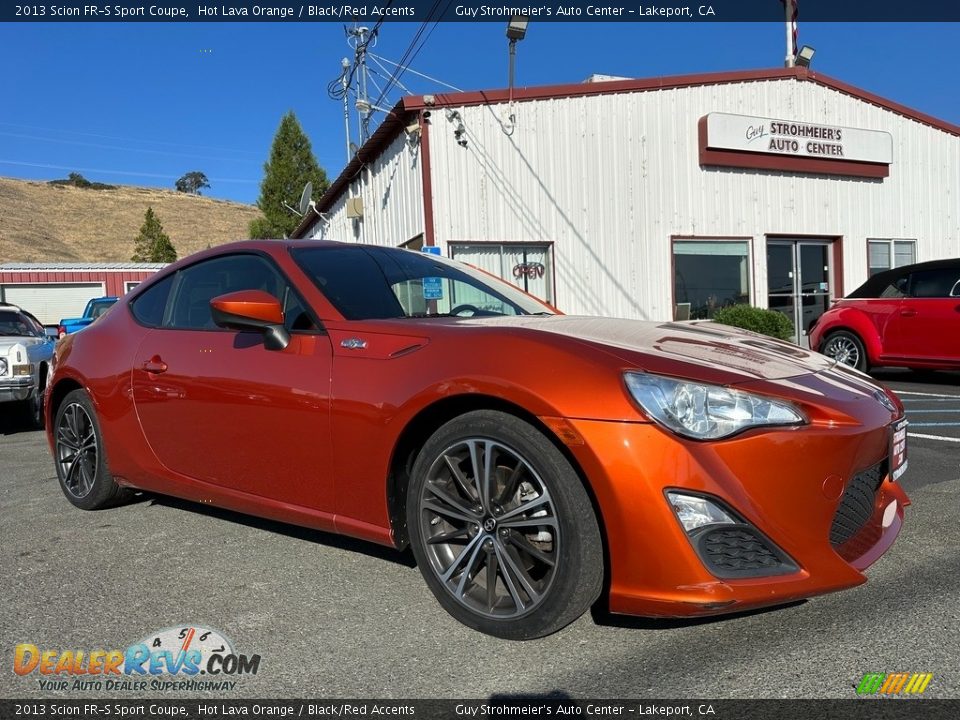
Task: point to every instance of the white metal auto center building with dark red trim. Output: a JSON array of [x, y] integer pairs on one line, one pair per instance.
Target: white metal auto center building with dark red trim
[[660, 199]]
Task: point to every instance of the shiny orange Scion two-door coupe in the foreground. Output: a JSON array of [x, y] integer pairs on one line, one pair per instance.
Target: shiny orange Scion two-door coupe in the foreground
[[533, 461]]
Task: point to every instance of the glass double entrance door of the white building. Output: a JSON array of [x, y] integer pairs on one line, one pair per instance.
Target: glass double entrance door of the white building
[[799, 282]]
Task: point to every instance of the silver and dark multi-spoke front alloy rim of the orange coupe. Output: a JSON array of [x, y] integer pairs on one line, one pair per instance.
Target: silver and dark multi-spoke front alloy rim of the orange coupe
[[490, 528]]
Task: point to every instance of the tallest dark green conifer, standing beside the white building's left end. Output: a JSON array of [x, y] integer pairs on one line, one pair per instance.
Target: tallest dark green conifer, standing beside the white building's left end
[[290, 166]]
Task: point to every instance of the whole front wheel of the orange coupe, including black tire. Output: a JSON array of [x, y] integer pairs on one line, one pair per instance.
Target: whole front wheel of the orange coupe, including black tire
[[532, 527]]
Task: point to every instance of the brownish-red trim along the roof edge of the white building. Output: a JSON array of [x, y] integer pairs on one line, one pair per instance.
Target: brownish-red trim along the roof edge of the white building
[[400, 115]]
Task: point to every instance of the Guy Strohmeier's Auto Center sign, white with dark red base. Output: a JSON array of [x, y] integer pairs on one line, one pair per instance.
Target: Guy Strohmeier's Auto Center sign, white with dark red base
[[727, 139]]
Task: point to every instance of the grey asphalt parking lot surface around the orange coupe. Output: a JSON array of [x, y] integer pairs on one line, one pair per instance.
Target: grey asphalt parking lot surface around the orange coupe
[[339, 618]]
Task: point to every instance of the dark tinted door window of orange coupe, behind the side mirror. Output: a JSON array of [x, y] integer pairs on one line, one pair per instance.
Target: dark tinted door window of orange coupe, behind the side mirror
[[202, 282]]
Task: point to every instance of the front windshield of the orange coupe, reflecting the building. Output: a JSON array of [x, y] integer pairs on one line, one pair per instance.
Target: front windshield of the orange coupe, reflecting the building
[[368, 282]]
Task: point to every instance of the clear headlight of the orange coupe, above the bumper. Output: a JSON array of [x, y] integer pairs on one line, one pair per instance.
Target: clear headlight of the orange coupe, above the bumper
[[706, 412]]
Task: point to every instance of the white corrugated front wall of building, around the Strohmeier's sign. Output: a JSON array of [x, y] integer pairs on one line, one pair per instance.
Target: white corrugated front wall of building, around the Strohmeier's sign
[[610, 178]]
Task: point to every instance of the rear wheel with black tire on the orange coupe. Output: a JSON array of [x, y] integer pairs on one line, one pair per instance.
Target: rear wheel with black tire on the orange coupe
[[80, 458]]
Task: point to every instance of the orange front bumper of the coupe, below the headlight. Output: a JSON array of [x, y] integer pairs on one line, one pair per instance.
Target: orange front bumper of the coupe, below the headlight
[[786, 483]]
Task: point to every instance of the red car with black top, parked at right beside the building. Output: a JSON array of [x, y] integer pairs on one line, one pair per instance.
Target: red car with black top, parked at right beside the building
[[907, 317]]
